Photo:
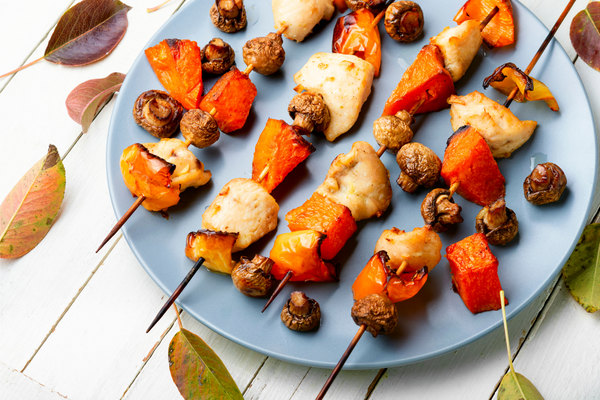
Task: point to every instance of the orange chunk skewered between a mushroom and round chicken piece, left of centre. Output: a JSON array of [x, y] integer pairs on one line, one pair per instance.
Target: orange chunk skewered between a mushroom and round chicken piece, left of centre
[[280, 148]]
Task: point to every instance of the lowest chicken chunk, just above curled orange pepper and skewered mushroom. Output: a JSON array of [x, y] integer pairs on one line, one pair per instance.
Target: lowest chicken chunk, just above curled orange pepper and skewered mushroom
[[419, 248]]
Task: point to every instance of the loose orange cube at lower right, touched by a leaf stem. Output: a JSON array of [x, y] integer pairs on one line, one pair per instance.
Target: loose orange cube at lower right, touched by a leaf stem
[[475, 273]]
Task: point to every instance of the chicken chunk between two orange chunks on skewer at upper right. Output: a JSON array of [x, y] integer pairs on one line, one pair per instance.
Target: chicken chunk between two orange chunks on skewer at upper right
[[459, 45]]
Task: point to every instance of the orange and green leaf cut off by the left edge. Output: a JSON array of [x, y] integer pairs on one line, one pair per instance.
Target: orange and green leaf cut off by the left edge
[[28, 211]]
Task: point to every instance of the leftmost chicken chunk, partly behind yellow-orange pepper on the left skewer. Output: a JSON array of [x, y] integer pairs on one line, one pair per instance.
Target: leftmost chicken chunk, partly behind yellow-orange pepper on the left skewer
[[189, 171]]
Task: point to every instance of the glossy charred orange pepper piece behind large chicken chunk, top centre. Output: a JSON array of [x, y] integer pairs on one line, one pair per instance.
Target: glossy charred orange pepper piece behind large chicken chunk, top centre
[[355, 34]]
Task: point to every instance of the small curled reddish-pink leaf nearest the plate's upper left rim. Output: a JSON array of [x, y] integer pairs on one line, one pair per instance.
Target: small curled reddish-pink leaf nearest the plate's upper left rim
[[84, 102]]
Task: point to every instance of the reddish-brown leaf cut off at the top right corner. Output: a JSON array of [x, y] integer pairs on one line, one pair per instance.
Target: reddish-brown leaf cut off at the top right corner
[[585, 34]]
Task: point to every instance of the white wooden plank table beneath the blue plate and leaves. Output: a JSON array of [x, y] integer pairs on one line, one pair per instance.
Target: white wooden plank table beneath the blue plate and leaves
[[72, 322]]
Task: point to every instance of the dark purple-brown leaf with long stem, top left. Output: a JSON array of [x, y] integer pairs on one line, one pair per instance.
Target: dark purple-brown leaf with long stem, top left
[[86, 33]]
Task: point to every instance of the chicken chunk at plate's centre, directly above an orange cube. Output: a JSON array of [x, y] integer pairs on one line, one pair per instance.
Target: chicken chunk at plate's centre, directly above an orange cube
[[360, 181]]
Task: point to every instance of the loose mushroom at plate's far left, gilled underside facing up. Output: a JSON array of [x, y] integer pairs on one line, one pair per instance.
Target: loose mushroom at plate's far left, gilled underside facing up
[[158, 113]]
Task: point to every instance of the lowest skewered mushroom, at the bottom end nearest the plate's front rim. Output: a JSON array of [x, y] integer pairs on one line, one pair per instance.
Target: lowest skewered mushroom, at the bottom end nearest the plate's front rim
[[377, 312]]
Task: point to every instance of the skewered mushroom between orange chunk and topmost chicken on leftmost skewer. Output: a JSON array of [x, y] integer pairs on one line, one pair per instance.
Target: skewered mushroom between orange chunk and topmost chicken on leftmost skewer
[[265, 54]]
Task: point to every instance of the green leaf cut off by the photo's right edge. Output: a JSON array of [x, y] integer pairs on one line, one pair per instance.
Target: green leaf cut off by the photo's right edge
[[581, 273]]
